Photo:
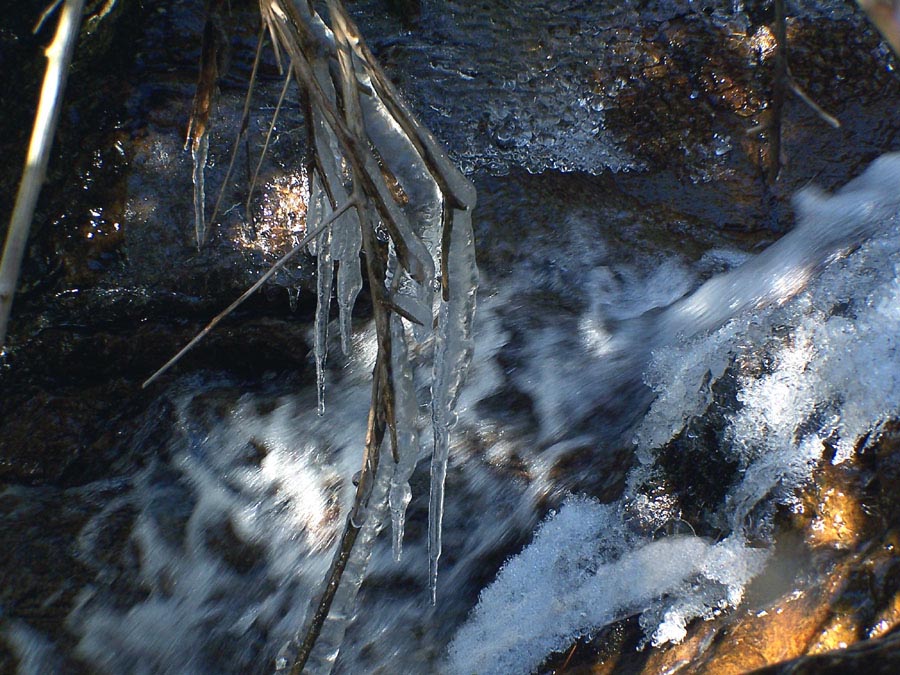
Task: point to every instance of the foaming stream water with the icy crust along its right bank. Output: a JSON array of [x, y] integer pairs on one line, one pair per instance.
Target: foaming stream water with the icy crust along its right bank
[[205, 559]]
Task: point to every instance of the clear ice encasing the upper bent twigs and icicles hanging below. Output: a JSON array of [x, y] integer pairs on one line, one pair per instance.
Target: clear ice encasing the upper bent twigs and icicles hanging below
[[416, 190]]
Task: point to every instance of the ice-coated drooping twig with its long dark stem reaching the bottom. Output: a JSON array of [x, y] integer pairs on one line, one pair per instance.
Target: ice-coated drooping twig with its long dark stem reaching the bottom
[[364, 136]]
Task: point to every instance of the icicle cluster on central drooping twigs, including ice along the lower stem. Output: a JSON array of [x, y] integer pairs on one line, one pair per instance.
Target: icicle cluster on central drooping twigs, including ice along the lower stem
[[425, 223]]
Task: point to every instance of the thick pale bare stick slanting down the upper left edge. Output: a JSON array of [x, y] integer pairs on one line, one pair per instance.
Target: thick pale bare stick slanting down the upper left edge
[[59, 55]]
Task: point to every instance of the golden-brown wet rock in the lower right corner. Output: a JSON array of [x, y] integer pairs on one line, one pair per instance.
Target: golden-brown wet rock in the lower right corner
[[829, 599]]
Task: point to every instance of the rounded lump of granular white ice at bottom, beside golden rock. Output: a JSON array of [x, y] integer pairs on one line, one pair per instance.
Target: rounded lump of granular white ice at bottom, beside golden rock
[[581, 572]]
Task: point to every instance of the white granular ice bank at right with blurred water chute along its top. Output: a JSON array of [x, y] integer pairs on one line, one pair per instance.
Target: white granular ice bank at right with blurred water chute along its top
[[827, 323]]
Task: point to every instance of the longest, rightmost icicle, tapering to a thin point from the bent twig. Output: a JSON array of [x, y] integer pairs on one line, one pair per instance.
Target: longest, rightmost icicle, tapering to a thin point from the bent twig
[[453, 352]]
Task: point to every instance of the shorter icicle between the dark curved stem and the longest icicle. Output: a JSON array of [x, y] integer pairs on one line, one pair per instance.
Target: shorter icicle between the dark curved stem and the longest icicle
[[406, 413]]
